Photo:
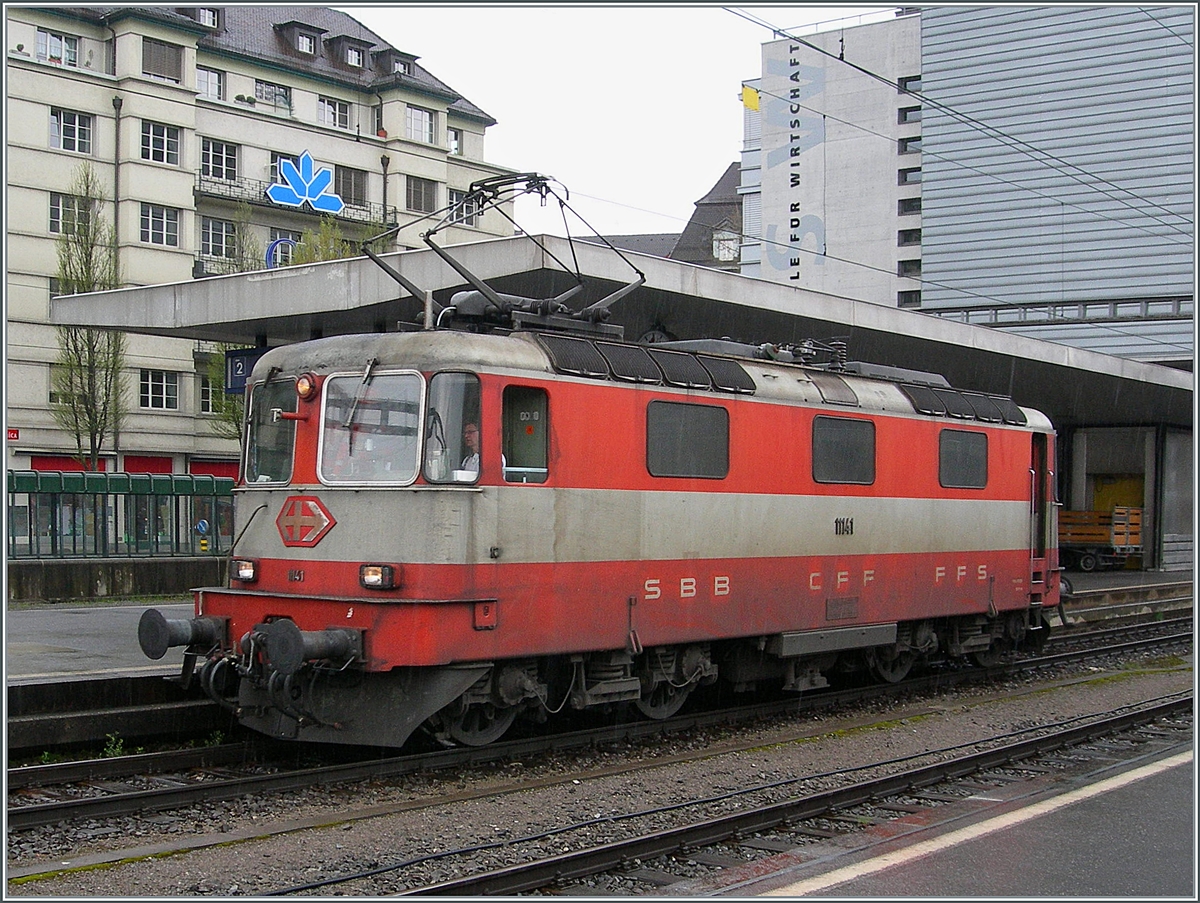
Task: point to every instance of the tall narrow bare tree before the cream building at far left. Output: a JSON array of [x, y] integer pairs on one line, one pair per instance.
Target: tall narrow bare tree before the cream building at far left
[[88, 398]]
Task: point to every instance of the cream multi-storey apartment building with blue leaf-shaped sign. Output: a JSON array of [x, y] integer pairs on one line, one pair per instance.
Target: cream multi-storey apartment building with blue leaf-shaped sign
[[188, 116]]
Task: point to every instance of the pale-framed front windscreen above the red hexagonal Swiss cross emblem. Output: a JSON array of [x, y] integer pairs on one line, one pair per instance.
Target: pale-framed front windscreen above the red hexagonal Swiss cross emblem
[[370, 428]]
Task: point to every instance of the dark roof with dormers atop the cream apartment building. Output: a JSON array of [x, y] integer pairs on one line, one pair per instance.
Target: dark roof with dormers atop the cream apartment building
[[267, 34]]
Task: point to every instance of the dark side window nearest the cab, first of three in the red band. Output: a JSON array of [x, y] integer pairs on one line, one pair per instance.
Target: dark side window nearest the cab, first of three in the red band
[[687, 440]]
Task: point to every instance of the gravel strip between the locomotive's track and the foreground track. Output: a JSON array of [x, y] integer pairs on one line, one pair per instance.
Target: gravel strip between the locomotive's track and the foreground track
[[399, 828]]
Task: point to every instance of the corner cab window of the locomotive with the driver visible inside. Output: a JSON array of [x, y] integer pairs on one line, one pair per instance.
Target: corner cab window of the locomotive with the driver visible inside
[[452, 429]]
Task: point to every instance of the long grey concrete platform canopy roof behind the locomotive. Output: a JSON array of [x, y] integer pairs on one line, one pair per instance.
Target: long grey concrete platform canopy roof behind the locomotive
[[279, 307]]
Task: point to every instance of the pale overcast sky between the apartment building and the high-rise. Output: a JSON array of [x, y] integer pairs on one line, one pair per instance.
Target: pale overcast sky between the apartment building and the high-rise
[[637, 110]]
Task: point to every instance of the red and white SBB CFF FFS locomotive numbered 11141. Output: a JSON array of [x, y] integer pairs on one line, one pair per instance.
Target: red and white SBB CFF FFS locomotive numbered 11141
[[451, 529]]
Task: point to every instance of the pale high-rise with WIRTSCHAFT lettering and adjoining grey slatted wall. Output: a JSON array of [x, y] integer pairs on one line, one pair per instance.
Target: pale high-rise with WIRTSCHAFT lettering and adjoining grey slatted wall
[[1025, 169]]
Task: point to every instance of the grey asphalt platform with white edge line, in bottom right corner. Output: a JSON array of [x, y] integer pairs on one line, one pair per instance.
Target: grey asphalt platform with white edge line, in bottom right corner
[[1124, 834]]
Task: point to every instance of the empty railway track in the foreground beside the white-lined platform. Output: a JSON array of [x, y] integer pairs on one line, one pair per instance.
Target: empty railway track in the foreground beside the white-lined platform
[[647, 857]]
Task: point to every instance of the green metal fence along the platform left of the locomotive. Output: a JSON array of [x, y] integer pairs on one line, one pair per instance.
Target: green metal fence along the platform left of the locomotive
[[55, 515]]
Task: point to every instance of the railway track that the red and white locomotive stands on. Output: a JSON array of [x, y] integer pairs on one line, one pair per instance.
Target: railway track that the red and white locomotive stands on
[[49, 794]]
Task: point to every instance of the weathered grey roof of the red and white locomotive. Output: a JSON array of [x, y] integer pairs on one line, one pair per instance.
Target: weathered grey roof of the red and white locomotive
[[873, 390]]
